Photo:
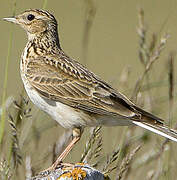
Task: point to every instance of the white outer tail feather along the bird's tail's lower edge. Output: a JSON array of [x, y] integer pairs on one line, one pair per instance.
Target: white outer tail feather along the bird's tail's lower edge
[[150, 128]]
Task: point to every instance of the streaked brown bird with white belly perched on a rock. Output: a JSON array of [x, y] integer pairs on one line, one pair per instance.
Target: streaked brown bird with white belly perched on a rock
[[67, 91]]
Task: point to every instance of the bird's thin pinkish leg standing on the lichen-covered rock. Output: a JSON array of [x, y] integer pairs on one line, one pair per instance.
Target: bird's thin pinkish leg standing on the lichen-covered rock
[[77, 132]]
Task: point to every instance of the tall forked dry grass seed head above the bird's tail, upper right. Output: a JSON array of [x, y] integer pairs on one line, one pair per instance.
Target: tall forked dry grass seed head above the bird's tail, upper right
[[147, 54]]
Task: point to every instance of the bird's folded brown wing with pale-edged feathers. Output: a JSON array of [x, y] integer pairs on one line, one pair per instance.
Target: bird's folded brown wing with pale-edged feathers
[[60, 78]]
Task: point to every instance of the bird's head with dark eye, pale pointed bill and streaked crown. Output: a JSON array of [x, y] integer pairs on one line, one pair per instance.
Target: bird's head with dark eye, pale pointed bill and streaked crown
[[34, 21]]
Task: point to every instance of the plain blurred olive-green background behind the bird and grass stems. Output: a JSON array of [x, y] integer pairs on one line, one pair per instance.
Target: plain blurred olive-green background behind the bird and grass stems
[[113, 48]]
